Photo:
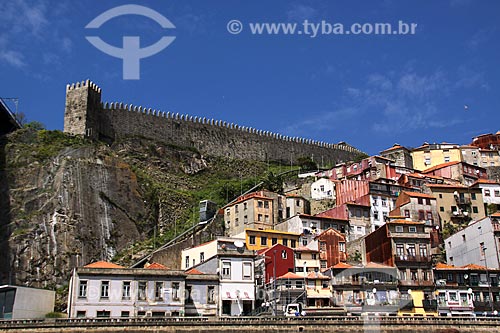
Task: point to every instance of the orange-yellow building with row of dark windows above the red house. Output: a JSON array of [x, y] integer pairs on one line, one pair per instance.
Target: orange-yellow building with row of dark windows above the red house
[[257, 239]]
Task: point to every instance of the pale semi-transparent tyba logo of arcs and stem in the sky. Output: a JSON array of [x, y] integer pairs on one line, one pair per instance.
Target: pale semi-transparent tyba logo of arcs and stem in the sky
[[131, 52]]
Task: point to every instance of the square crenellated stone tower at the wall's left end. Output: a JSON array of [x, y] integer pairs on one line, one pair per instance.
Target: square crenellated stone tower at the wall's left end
[[83, 106]]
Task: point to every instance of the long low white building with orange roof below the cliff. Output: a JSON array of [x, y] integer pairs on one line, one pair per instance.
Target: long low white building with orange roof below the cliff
[[107, 290]]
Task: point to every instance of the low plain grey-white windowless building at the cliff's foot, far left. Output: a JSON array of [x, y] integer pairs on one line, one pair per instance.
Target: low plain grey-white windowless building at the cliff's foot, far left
[[18, 302]]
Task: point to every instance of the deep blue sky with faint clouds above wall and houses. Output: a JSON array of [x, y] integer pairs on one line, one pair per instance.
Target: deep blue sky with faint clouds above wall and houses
[[368, 90]]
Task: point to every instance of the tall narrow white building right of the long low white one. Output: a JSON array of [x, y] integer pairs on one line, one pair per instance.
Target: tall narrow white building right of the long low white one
[[229, 258]]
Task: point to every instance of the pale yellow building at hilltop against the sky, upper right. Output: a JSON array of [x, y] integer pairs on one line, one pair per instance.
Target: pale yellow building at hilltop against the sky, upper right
[[429, 155]]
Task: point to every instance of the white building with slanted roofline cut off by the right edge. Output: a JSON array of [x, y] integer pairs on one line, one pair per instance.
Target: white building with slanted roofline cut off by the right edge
[[478, 244]]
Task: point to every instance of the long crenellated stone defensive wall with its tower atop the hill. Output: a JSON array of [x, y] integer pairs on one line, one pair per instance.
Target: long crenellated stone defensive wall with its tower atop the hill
[[112, 121]]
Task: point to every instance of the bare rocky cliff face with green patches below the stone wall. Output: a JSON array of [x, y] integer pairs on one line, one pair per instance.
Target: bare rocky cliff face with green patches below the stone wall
[[65, 202]]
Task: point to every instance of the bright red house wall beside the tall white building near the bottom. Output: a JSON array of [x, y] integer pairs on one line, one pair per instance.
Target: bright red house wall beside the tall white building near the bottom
[[284, 258]]
